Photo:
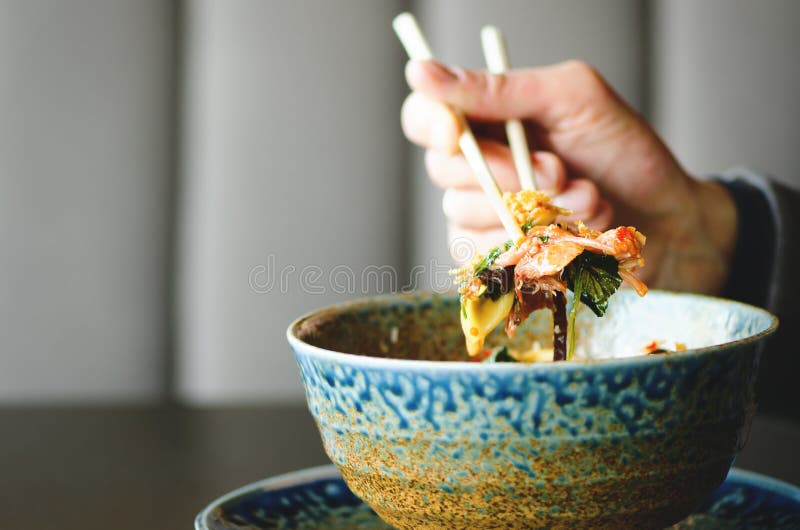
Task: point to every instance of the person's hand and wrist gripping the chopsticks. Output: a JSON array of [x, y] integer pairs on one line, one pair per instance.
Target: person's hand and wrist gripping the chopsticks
[[597, 156]]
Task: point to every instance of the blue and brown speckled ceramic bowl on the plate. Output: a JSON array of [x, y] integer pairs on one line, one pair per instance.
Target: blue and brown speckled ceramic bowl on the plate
[[430, 441]]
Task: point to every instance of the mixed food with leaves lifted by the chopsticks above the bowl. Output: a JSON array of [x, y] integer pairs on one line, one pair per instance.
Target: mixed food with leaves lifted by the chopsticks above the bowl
[[535, 272]]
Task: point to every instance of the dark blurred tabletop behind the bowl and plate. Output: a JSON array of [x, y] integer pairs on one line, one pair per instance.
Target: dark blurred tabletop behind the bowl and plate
[[155, 468]]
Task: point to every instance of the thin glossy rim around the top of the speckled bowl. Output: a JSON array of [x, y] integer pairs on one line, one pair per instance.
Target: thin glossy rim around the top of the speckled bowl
[[319, 353]]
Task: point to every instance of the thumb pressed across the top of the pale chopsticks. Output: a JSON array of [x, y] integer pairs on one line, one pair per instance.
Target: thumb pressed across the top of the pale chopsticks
[[546, 95]]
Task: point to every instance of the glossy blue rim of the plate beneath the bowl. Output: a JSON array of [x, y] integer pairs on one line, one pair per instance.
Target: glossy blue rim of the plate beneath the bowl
[[329, 471]]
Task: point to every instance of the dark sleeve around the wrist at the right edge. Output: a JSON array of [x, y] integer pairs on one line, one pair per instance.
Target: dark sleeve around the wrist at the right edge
[[764, 272]]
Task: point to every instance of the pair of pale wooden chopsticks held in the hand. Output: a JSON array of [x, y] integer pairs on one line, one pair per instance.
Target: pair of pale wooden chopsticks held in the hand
[[496, 55]]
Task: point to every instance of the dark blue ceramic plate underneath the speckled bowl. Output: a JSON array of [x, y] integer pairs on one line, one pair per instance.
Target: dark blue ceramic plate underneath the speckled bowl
[[318, 498]]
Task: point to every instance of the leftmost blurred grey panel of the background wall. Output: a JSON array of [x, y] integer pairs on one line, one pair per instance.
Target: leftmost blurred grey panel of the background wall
[[87, 91]]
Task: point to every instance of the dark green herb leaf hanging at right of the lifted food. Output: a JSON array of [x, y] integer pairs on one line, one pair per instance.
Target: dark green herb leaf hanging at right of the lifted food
[[599, 279]]
